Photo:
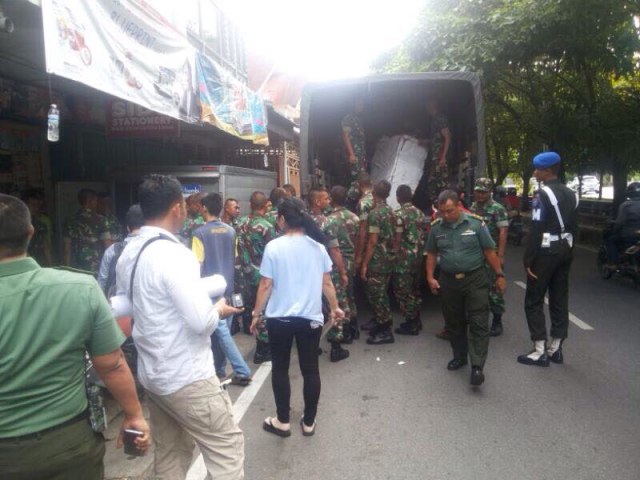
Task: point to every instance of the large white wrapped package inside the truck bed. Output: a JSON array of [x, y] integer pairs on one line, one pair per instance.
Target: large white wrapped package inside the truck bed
[[400, 160]]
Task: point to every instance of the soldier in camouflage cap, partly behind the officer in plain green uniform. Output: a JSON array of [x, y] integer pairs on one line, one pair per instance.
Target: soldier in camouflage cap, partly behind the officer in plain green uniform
[[495, 217]]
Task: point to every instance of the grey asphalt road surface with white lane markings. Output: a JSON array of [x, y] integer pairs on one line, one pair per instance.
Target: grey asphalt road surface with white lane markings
[[382, 420]]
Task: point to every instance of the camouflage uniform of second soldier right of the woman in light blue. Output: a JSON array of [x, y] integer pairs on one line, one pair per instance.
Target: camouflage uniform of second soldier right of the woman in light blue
[[345, 224]]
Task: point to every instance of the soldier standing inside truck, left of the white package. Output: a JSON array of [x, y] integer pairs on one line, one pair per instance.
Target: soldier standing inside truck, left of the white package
[[353, 138]]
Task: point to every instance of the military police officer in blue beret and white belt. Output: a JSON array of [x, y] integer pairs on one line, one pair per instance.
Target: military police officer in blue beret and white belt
[[547, 260]]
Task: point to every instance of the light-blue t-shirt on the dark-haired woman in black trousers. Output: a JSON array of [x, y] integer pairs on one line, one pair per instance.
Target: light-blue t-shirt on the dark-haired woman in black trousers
[[296, 264]]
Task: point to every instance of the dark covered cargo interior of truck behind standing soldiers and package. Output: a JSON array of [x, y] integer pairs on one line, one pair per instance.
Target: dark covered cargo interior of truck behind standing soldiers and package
[[393, 105]]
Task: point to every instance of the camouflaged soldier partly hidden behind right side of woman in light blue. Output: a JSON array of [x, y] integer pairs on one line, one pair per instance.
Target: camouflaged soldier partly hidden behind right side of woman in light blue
[[319, 199]]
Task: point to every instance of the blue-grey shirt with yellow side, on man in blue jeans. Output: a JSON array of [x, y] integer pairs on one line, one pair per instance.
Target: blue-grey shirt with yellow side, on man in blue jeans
[[214, 245]]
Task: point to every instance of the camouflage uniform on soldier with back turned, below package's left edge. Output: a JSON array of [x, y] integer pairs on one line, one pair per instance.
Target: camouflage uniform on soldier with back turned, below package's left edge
[[382, 221]]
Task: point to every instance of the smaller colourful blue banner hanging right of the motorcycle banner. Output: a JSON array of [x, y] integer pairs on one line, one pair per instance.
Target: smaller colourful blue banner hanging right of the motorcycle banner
[[228, 104]]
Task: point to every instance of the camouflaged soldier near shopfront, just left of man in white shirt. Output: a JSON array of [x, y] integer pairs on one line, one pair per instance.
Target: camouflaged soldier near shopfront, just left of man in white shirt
[[87, 235]]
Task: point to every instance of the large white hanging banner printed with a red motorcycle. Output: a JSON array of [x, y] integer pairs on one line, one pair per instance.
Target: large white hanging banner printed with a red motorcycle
[[133, 49]]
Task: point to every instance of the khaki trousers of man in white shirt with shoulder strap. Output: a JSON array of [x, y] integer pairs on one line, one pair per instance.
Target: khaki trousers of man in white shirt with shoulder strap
[[198, 414]]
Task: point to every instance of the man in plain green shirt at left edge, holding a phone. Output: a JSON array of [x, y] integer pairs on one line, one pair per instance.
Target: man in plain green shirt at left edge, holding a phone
[[50, 318]]
